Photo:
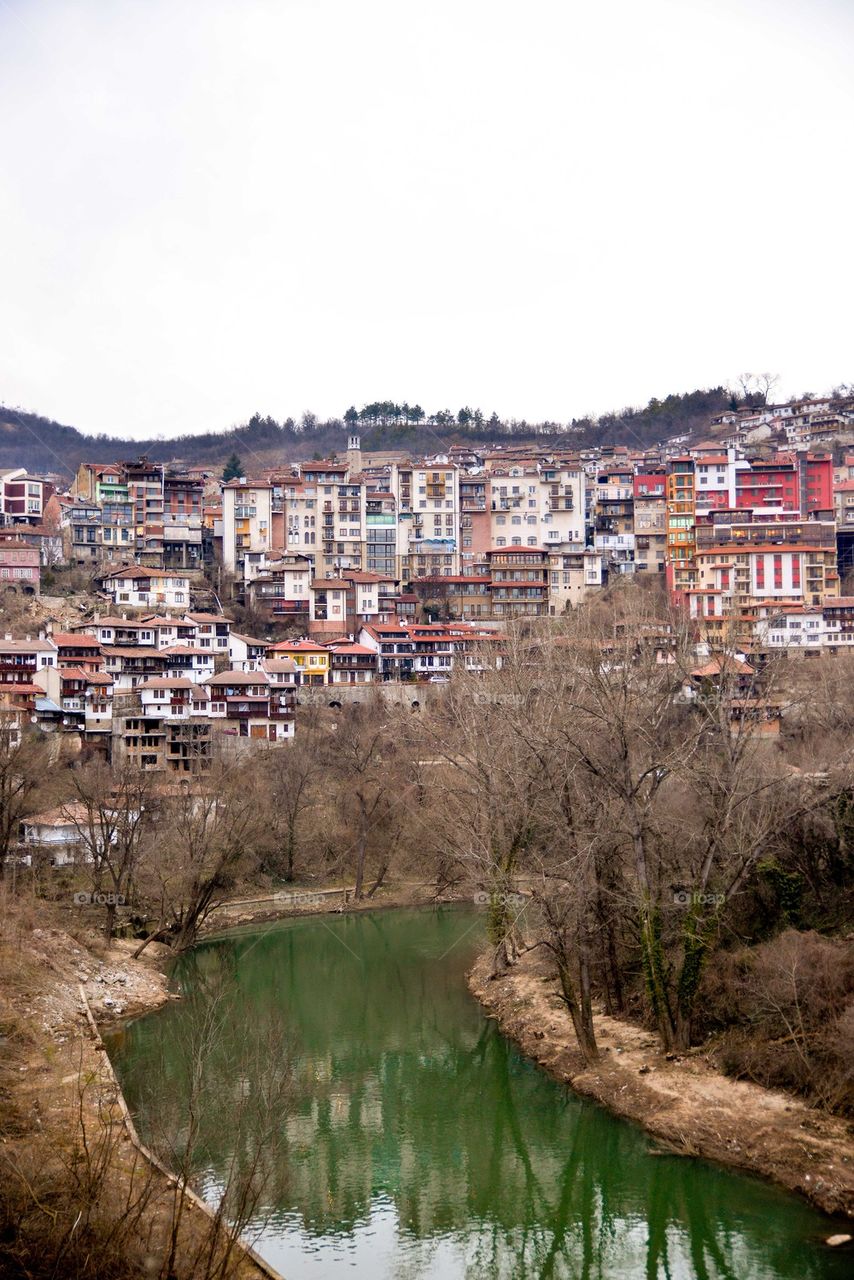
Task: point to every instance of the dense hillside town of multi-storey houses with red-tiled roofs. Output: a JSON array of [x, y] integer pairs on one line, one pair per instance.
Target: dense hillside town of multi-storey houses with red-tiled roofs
[[385, 570]]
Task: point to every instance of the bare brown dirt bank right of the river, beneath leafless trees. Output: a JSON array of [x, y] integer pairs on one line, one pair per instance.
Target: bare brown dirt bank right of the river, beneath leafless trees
[[686, 1104]]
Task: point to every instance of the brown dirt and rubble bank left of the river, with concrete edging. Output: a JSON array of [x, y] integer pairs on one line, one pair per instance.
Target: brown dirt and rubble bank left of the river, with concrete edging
[[66, 1139]]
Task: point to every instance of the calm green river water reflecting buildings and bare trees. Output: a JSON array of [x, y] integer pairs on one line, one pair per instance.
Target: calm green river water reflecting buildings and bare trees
[[415, 1140]]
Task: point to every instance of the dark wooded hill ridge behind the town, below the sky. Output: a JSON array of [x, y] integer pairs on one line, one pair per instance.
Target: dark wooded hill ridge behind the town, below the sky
[[45, 446]]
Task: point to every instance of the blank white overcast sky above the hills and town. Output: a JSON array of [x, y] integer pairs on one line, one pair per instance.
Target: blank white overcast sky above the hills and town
[[542, 208]]
